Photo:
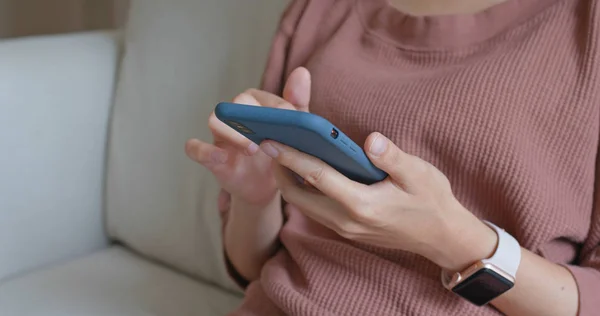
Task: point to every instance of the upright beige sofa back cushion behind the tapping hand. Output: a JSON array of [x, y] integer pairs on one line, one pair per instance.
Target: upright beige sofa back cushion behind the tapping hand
[[182, 57]]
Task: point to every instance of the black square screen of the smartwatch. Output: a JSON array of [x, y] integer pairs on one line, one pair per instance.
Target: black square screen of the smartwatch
[[483, 286]]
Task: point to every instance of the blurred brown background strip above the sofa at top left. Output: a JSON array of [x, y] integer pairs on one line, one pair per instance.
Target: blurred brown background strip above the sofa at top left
[[37, 17]]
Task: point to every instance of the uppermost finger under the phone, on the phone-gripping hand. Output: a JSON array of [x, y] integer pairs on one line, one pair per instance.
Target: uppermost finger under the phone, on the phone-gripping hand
[[316, 172]]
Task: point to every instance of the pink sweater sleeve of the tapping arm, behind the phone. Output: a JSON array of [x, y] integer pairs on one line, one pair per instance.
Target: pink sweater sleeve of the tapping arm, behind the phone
[[272, 81]]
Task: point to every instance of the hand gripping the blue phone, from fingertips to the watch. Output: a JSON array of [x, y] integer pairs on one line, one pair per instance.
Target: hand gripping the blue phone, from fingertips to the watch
[[413, 209]]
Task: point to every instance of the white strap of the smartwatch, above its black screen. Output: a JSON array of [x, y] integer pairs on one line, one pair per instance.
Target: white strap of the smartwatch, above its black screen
[[508, 253]]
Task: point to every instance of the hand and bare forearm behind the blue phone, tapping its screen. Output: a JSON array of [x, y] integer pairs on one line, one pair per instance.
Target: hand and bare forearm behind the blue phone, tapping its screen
[[249, 194]]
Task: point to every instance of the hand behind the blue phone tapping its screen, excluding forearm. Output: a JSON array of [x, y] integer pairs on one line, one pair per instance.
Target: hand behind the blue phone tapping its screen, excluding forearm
[[239, 166]]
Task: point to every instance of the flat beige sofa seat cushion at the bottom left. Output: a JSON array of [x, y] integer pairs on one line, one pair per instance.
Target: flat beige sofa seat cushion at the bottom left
[[112, 282]]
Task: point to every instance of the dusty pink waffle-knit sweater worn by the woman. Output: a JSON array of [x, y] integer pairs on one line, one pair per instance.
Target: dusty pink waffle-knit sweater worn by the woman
[[505, 102]]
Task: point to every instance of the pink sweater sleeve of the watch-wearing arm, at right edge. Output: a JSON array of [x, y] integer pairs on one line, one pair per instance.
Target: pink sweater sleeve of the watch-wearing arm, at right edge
[[587, 271]]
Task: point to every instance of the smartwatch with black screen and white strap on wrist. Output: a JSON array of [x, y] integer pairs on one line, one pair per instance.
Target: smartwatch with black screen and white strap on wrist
[[489, 278]]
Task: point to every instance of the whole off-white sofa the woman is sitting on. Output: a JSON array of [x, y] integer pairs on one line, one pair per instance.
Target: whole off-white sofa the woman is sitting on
[[100, 211]]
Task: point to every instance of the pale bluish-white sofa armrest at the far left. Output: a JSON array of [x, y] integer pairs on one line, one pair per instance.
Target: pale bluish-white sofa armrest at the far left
[[56, 94]]
